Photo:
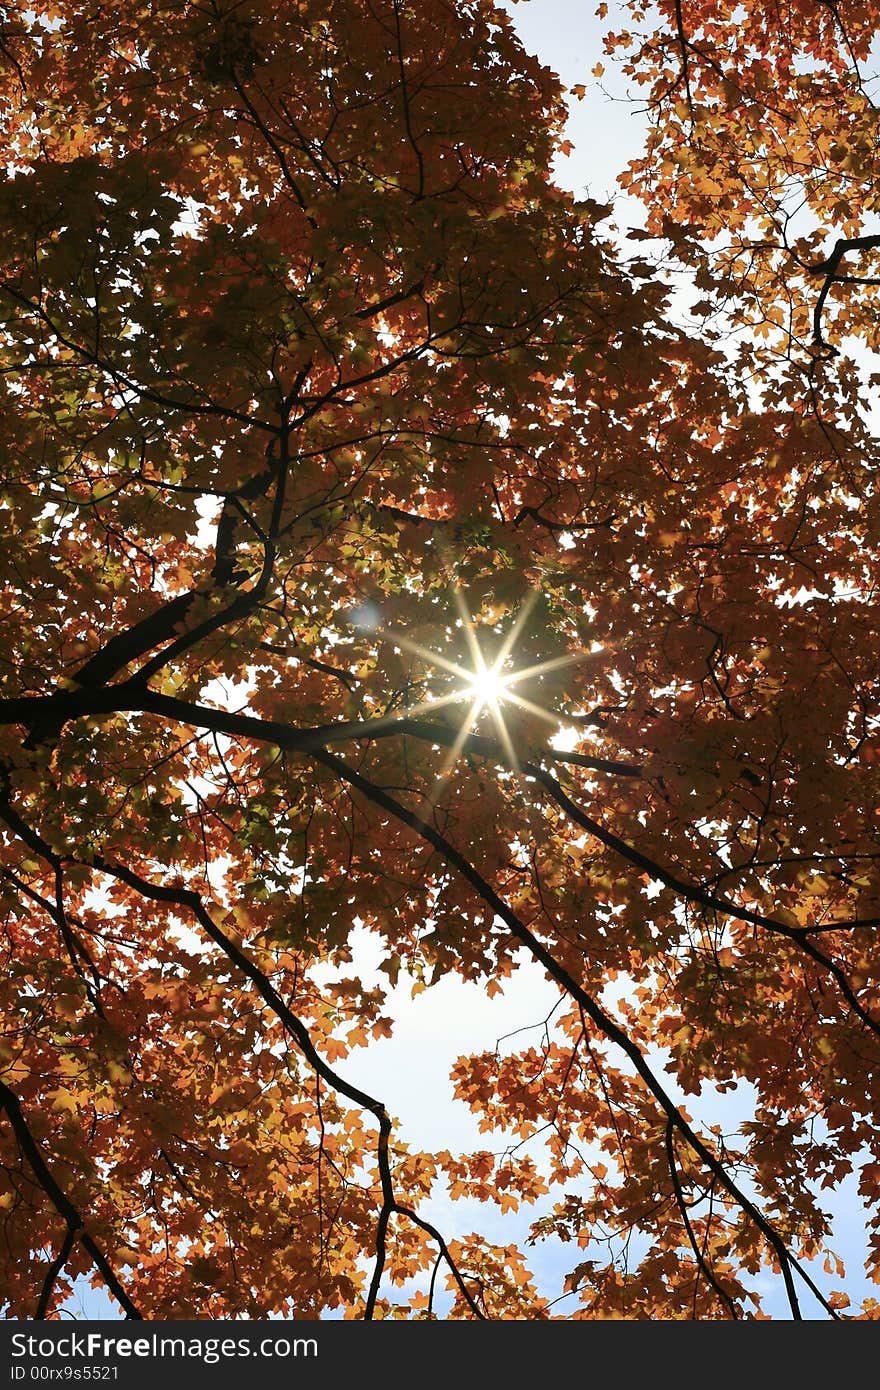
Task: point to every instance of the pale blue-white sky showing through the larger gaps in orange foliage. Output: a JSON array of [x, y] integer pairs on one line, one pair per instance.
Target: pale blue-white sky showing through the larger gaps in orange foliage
[[411, 1071]]
